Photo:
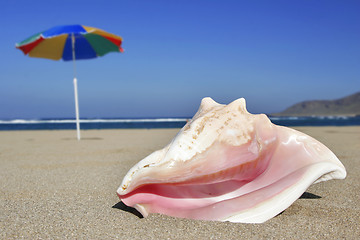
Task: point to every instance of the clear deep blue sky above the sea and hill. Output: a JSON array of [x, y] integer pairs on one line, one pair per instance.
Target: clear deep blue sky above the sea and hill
[[272, 53]]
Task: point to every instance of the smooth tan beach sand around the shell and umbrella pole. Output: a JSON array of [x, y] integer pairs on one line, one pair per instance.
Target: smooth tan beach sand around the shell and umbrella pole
[[55, 187]]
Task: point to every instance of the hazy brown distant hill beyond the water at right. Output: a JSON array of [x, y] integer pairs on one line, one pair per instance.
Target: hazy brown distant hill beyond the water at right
[[349, 105]]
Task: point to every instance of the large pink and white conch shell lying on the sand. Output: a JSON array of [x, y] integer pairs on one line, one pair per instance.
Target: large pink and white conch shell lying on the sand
[[228, 165]]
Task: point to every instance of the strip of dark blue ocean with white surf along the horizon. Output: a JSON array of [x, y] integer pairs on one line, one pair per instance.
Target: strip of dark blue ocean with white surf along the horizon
[[149, 123]]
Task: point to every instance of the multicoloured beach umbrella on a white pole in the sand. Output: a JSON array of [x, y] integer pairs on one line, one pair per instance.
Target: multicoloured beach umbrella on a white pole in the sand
[[71, 42]]
